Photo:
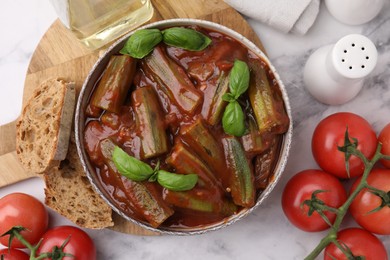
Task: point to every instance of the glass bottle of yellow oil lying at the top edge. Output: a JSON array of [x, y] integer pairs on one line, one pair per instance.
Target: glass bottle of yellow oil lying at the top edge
[[98, 22]]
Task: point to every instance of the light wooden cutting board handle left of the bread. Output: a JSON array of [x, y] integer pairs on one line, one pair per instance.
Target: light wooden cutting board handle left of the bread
[[11, 171]]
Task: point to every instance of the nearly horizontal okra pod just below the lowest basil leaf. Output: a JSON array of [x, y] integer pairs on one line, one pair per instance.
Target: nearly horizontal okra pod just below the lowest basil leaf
[[200, 201]]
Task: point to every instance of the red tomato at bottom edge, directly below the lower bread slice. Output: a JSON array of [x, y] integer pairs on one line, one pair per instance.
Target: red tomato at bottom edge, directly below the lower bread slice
[[80, 245]]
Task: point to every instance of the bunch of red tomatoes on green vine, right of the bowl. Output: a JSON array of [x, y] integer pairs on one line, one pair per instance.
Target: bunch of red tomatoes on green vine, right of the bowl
[[346, 149]]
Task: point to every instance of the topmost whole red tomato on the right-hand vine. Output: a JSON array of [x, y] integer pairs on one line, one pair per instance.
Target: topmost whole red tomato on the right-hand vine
[[329, 134]]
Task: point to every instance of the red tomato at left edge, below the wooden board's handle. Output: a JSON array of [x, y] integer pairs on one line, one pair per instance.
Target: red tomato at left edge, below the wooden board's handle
[[19, 209]]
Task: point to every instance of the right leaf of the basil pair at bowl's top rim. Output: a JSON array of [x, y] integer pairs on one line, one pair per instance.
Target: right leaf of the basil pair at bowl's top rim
[[185, 38]]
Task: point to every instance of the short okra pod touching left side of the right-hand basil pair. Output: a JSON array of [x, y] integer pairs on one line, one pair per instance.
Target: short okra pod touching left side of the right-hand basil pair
[[213, 108]]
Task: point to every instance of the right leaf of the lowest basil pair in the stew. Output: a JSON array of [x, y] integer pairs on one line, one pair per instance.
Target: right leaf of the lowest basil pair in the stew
[[176, 182]]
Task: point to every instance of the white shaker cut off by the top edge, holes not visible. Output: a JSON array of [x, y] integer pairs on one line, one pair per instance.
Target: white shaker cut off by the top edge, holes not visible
[[354, 12]]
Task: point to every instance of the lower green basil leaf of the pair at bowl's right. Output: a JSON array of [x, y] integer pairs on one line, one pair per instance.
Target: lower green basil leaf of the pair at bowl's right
[[233, 119]]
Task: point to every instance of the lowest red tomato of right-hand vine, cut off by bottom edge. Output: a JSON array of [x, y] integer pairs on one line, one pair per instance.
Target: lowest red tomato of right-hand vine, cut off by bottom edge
[[360, 242]]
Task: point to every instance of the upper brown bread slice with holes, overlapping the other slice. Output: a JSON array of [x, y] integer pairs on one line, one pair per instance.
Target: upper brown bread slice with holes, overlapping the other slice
[[43, 130]]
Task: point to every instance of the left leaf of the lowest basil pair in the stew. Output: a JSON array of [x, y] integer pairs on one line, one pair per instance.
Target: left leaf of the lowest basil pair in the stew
[[131, 167]]
